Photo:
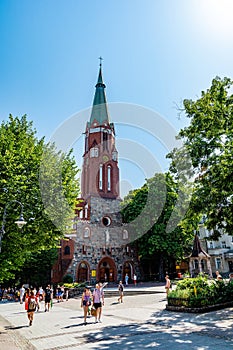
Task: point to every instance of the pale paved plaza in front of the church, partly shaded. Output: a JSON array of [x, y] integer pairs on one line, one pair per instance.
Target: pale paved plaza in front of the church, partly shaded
[[140, 322]]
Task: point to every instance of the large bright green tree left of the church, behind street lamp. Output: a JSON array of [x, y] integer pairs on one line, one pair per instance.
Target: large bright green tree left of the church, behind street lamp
[[21, 156]]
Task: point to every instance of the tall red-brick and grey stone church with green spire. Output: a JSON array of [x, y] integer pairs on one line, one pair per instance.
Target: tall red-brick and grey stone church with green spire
[[99, 248]]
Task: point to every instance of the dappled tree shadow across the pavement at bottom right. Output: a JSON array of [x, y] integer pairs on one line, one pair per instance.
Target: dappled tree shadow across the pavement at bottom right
[[167, 330]]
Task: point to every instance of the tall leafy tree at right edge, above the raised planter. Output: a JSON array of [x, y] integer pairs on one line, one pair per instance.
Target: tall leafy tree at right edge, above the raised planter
[[209, 141]]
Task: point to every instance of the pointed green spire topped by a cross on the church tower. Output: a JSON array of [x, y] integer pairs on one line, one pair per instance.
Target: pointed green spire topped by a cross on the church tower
[[99, 109]]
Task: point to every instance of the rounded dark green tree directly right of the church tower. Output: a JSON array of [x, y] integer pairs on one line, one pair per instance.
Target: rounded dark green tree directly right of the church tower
[[155, 234]]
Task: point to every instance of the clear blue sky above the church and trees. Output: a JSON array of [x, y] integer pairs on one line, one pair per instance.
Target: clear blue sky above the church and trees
[[156, 53]]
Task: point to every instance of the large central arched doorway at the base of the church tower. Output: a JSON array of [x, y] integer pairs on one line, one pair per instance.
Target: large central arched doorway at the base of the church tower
[[107, 271]]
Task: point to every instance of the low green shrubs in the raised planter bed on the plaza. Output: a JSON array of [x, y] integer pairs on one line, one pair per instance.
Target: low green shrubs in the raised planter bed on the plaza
[[201, 291]]
